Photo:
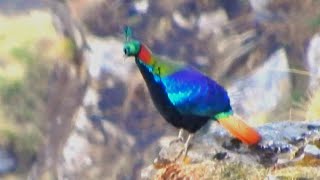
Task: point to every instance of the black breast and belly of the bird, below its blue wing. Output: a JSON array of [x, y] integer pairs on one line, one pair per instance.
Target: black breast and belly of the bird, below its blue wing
[[189, 122]]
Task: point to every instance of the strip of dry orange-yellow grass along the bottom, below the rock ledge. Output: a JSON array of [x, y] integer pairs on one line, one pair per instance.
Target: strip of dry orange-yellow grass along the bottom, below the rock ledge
[[223, 170]]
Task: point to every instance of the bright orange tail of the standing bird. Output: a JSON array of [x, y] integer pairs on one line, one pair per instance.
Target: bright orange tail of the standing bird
[[239, 129]]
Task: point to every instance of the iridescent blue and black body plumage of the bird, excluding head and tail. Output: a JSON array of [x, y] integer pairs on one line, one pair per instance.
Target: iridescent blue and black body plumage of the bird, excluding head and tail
[[186, 98]]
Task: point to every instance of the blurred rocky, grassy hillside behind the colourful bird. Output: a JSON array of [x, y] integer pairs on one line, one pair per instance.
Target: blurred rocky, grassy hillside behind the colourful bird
[[72, 107]]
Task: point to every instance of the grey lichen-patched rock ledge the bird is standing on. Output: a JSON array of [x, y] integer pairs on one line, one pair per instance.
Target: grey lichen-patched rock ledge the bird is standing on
[[283, 143]]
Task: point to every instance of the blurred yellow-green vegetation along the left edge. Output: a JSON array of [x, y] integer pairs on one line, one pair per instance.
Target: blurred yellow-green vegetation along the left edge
[[27, 46]]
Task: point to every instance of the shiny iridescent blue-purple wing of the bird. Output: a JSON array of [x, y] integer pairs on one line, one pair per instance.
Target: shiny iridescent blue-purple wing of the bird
[[192, 92]]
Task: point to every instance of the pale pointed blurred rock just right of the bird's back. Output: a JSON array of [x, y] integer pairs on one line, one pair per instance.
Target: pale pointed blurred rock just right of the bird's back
[[272, 80]]
